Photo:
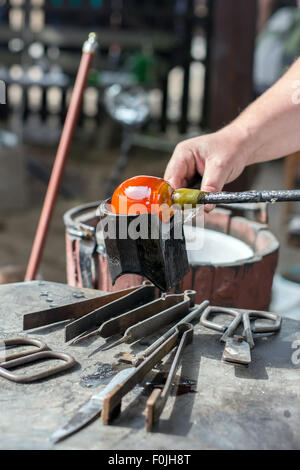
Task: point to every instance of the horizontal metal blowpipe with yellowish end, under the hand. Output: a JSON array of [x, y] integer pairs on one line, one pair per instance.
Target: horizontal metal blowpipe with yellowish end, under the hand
[[194, 196]]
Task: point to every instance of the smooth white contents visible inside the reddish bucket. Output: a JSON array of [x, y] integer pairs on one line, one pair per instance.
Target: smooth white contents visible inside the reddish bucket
[[205, 246]]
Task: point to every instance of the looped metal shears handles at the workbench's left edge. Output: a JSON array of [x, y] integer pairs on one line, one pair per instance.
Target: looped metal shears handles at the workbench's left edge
[[25, 357]]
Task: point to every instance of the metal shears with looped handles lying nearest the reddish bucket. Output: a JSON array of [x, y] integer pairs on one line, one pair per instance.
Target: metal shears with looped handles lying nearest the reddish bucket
[[237, 347]]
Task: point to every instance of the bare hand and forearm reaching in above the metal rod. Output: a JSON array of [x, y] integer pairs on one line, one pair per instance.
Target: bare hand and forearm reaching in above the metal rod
[[267, 129]]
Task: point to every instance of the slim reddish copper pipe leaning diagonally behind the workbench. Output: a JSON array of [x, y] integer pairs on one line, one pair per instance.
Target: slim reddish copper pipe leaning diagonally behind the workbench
[[88, 51]]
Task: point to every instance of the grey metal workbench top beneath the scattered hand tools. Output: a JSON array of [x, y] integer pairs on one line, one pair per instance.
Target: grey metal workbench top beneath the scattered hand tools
[[235, 407]]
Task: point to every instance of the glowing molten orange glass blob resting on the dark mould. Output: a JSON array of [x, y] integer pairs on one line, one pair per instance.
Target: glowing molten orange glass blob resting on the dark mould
[[142, 194]]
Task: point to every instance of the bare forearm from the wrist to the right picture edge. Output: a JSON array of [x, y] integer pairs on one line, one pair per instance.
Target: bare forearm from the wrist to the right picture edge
[[270, 127]]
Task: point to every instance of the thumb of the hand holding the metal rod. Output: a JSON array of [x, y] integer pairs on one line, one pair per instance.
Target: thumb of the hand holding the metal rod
[[214, 177]]
